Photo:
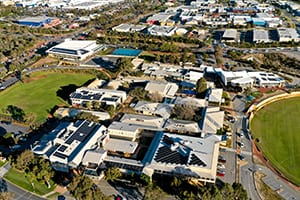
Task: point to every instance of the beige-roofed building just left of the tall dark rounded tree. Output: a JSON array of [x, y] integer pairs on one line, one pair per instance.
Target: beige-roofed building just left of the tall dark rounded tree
[[165, 89]]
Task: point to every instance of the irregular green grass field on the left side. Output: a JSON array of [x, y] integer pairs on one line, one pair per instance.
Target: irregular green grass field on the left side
[[38, 94]]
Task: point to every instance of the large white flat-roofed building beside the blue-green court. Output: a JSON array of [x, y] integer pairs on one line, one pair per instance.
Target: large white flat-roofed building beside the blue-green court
[[75, 50]]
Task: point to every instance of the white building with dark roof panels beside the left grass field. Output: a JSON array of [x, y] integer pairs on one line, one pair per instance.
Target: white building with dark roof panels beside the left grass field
[[109, 97]]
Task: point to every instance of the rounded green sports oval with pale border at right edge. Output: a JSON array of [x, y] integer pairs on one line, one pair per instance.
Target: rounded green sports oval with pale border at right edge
[[278, 129]]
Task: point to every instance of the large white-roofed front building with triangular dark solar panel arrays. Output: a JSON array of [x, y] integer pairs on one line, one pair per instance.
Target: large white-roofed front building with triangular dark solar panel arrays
[[187, 156]]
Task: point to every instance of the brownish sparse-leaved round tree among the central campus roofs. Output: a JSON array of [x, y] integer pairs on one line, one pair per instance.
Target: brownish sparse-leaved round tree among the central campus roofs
[[183, 111]]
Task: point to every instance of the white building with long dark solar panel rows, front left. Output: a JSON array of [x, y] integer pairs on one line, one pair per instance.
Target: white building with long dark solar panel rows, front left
[[69, 143]]
